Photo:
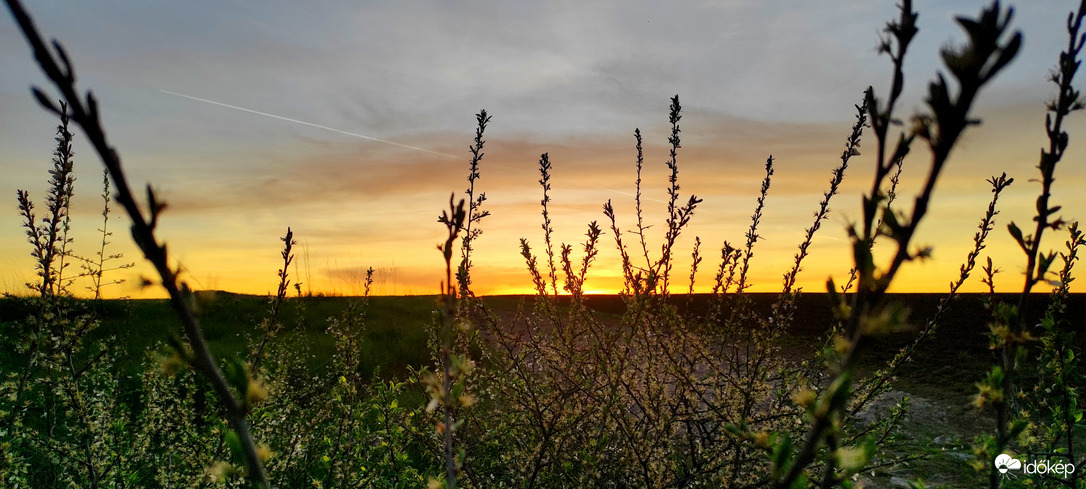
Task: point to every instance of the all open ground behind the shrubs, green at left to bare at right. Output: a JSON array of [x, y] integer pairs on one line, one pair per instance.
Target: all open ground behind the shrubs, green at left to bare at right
[[397, 330]]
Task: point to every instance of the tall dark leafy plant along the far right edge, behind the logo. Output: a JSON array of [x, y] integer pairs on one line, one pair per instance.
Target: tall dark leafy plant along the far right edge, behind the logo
[[1012, 333]]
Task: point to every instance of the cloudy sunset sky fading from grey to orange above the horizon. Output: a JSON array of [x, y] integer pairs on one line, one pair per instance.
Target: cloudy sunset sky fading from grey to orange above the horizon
[[350, 122]]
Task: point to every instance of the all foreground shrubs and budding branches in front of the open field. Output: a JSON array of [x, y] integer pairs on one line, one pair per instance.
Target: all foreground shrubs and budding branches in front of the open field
[[561, 396]]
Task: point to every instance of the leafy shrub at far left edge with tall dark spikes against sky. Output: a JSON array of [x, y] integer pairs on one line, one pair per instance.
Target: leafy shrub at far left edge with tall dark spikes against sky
[[60, 429]]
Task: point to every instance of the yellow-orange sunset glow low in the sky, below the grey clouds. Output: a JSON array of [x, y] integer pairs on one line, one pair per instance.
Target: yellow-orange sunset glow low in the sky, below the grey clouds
[[383, 216]]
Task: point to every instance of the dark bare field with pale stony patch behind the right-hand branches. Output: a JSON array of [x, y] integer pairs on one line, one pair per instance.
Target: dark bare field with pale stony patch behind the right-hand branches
[[936, 440]]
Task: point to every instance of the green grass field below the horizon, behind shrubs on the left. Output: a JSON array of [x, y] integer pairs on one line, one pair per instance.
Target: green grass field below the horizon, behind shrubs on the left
[[395, 336]]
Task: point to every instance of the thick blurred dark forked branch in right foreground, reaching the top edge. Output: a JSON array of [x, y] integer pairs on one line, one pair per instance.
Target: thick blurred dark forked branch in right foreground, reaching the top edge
[[974, 65]]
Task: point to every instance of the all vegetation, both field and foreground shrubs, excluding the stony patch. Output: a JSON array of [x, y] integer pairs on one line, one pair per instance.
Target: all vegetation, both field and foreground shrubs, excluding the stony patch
[[656, 387]]
